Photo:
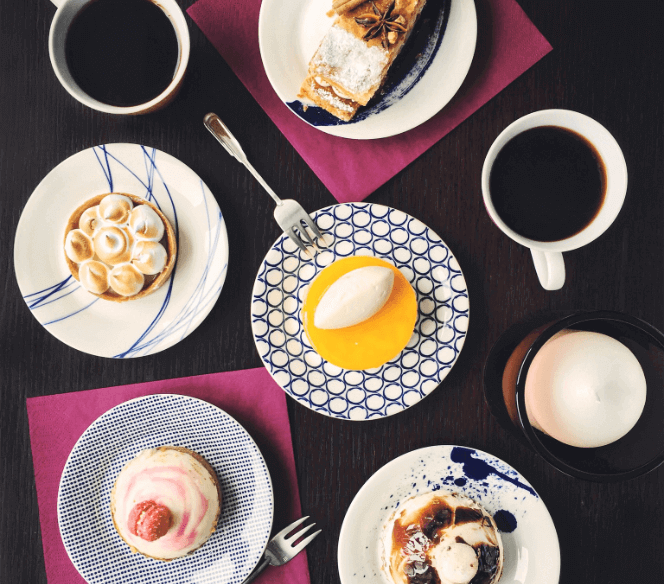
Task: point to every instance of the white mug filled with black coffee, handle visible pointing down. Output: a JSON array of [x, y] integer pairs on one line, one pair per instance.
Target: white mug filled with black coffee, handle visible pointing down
[[554, 181]]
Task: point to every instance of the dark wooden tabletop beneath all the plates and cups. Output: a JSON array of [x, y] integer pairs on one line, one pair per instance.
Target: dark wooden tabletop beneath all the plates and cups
[[607, 63]]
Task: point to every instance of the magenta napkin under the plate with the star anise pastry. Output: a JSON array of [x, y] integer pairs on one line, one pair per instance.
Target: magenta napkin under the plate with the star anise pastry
[[507, 45]]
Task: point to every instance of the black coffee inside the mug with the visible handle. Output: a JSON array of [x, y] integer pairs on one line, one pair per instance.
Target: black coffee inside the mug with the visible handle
[[548, 183]]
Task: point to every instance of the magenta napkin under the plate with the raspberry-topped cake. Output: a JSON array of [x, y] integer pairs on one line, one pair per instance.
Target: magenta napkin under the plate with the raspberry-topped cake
[[57, 422]]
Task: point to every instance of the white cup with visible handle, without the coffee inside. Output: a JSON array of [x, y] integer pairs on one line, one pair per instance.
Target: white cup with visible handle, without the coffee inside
[[547, 255]]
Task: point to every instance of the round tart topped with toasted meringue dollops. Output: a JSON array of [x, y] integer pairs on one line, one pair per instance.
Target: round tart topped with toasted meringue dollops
[[119, 246]]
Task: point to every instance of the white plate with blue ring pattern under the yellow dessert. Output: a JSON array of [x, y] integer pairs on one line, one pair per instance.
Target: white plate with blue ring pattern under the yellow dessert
[[440, 330]]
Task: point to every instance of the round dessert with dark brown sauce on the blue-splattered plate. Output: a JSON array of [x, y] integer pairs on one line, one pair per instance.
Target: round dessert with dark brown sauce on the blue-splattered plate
[[441, 538]]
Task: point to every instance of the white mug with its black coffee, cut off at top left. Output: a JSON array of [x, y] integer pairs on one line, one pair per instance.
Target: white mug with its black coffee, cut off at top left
[[120, 56]]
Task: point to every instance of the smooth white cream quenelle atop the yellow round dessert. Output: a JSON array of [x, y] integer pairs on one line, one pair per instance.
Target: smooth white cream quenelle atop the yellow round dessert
[[354, 298]]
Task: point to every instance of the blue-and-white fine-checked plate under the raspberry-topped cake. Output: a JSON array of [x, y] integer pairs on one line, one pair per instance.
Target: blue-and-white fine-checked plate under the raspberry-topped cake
[[116, 437]]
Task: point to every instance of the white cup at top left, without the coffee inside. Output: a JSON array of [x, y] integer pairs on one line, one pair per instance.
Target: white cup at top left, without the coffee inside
[[68, 10]]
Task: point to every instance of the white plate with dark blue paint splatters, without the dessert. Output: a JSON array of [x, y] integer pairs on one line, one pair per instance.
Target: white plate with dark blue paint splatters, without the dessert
[[532, 552]]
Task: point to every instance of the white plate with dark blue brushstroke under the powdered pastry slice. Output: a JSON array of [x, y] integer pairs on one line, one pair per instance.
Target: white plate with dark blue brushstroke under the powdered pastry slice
[[421, 82]]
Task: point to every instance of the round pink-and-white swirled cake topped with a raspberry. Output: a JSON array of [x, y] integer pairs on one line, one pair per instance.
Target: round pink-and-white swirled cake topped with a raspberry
[[165, 503]]
